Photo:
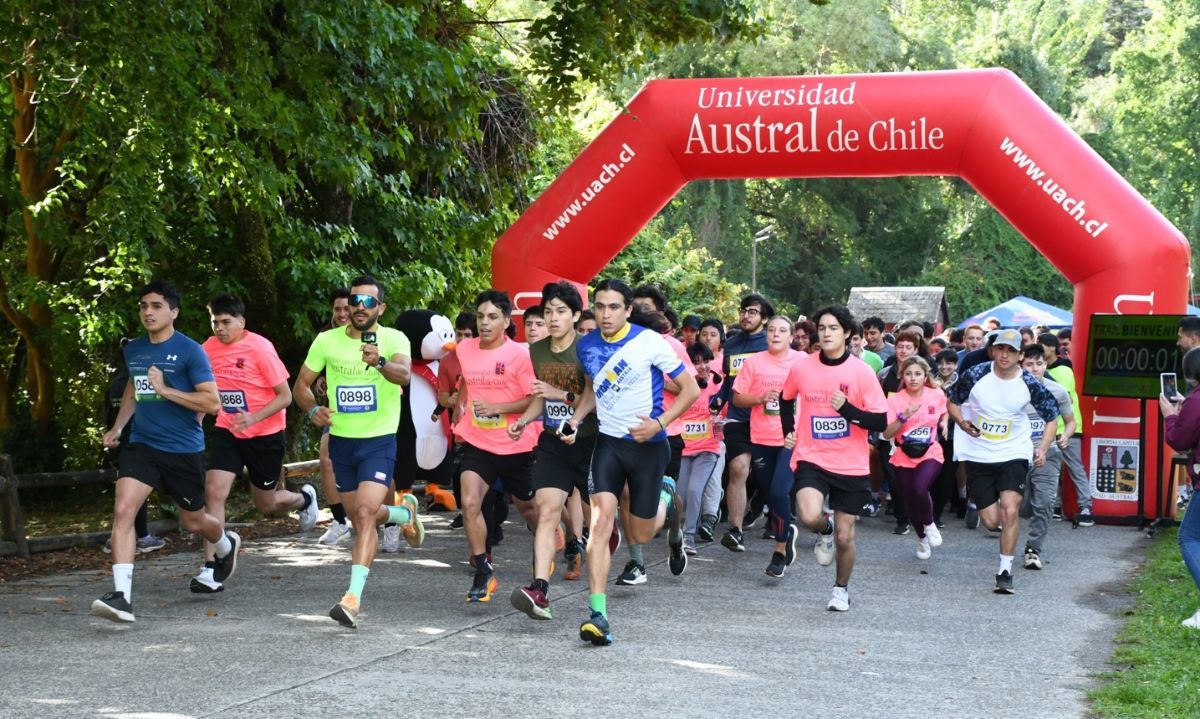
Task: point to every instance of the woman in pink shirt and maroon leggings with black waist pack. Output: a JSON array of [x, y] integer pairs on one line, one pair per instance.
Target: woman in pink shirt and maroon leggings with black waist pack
[[916, 420]]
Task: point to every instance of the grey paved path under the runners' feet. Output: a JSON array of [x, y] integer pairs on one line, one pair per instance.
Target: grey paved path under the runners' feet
[[922, 639]]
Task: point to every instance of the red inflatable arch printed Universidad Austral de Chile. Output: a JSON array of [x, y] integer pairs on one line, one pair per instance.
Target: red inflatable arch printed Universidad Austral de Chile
[[982, 125]]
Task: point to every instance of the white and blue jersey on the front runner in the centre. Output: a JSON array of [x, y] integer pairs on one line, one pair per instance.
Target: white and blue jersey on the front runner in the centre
[[627, 375]]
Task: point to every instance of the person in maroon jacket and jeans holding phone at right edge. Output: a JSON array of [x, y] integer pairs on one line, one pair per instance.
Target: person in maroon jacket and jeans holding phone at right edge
[[1184, 435]]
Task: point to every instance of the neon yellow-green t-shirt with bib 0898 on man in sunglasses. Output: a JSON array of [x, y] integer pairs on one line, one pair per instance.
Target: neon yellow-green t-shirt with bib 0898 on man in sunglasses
[[365, 405]]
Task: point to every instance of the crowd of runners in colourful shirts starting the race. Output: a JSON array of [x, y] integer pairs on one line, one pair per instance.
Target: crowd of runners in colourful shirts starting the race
[[608, 429]]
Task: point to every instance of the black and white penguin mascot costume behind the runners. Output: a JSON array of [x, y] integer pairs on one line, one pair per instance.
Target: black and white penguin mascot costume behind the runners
[[423, 440]]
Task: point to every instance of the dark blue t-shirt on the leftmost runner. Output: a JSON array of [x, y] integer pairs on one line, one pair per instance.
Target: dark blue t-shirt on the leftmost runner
[[160, 423]]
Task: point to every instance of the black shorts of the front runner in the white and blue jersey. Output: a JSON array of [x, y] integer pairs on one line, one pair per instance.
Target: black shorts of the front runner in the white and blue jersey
[[641, 465]]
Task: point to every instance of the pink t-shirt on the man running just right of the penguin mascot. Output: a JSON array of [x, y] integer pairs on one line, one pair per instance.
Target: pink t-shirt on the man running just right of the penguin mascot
[[497, 378]]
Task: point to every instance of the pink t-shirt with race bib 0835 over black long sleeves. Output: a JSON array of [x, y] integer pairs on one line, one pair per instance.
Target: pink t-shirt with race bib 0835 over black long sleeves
[[823, 436]]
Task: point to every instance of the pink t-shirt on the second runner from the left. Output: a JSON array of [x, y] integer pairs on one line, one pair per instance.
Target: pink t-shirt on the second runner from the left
[[248, 373]]
